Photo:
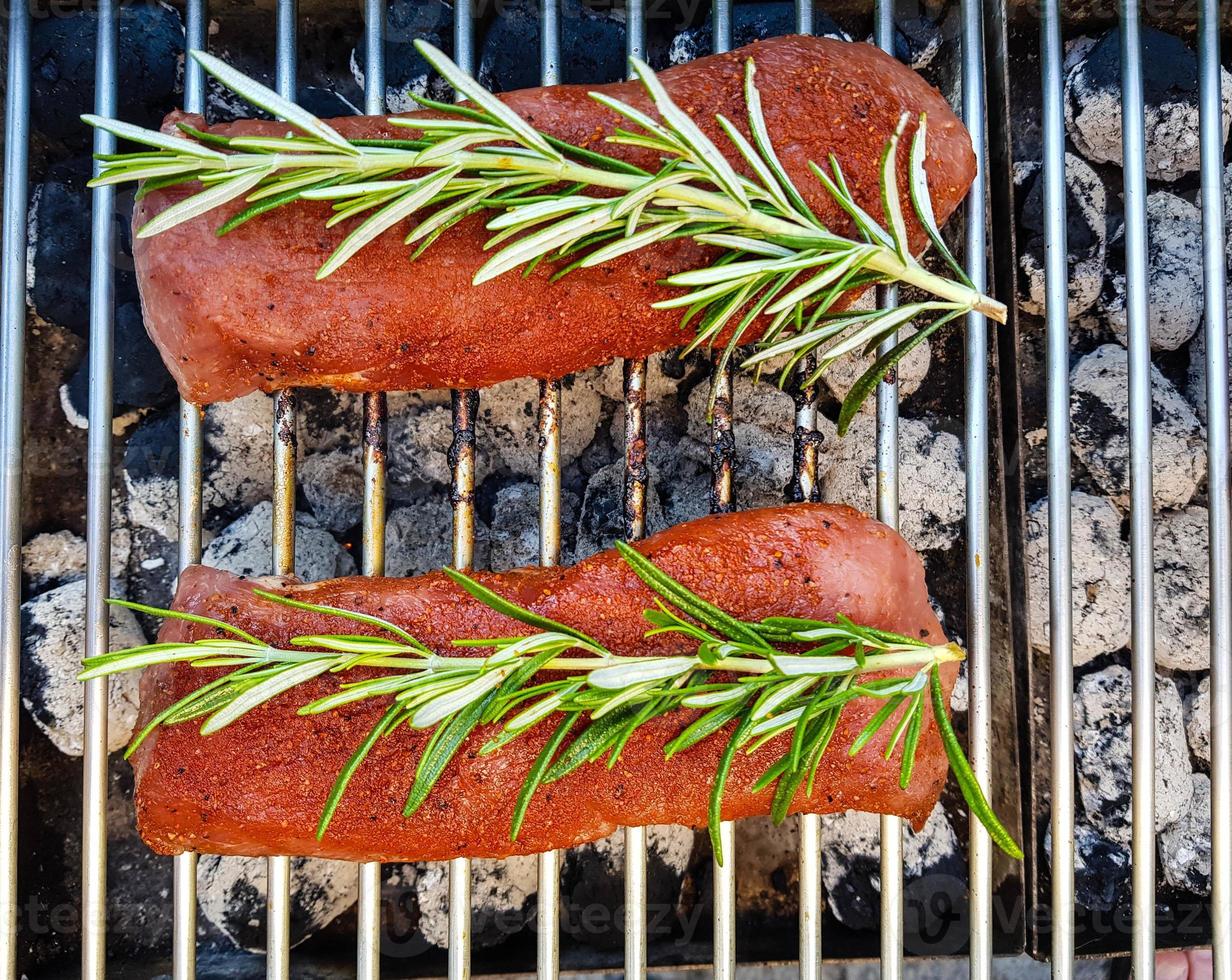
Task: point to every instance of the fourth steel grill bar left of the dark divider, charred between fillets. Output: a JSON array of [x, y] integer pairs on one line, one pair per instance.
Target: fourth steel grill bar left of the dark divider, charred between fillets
[[723, 501]]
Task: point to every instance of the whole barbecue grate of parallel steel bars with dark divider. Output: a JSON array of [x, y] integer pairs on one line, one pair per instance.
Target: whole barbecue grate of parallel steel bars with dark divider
[[994, 522]]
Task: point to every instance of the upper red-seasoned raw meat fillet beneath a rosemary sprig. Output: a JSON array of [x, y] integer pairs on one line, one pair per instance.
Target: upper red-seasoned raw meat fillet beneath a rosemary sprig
[[246, 311]]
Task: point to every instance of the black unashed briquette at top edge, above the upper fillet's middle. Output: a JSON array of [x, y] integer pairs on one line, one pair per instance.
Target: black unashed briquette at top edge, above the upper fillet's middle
[[592, 47]]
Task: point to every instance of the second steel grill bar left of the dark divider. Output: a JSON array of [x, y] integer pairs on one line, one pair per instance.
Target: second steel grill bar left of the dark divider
[[888, 513]]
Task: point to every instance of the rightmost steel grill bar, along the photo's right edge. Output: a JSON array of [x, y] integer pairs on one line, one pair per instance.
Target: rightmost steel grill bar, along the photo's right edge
[[1219, 484]]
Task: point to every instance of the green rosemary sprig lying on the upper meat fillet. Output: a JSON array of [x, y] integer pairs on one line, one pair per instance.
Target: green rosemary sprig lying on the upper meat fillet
[[779, 266]]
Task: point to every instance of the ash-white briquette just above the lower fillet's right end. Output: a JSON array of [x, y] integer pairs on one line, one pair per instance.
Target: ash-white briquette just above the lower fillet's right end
[[931, 502]]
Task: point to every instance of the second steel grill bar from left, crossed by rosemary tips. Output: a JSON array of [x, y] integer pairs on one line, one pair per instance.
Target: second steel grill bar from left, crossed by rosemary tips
[[103, 231]]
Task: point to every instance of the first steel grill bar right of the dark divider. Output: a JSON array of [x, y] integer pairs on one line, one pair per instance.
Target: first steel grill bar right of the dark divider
[[1061, 672]]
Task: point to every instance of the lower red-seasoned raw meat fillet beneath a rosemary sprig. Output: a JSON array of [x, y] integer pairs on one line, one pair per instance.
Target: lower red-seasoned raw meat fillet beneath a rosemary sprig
[[259, 786]]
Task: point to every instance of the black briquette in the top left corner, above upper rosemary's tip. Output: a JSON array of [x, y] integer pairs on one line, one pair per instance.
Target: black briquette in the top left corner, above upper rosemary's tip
[[63, 57]]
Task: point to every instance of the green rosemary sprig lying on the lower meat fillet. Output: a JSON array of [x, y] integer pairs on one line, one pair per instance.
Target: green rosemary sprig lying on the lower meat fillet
[[751, 682]]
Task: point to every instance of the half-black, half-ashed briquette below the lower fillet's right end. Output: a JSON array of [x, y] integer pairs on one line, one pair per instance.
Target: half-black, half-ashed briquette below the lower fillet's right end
[[852, 870]]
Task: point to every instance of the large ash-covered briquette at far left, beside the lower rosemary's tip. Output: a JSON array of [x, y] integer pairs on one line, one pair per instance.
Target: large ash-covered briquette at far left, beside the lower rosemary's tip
[[52, 645]]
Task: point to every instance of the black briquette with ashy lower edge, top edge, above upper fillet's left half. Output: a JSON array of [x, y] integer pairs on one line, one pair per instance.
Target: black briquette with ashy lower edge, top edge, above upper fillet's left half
[[407, 73]]
